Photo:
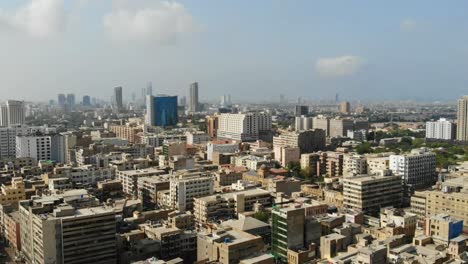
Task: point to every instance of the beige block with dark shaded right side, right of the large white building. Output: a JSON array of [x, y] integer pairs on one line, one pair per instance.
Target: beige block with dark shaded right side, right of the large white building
[[307, 141]]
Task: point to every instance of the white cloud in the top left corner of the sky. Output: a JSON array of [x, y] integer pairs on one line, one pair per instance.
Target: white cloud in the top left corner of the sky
[[39, 18]]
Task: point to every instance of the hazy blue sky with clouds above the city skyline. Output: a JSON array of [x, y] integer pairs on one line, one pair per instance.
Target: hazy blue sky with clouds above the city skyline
[[253, 50]]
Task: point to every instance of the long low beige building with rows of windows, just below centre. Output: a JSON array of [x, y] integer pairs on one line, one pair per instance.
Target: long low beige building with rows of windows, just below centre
[[225, 206]]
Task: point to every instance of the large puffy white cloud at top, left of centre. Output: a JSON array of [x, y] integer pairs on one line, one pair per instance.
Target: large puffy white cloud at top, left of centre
[[163, 23]]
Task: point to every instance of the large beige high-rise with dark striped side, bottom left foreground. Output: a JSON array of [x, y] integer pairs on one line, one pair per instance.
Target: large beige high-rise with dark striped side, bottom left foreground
[[53, 231]]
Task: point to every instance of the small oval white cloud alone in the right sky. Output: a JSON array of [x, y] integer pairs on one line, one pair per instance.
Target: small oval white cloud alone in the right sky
[[338, 66]]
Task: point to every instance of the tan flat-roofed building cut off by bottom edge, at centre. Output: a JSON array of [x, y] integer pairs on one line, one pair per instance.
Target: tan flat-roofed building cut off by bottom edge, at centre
[[227, 246]]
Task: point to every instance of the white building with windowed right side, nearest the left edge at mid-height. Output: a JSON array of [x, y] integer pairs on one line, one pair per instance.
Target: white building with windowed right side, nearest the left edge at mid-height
[[36, 147]]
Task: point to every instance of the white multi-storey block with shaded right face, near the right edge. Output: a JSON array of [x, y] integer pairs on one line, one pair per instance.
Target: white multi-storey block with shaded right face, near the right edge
[[417, 168]]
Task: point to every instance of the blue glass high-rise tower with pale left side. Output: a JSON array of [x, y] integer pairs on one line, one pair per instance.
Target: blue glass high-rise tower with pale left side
[[161, 110]]
